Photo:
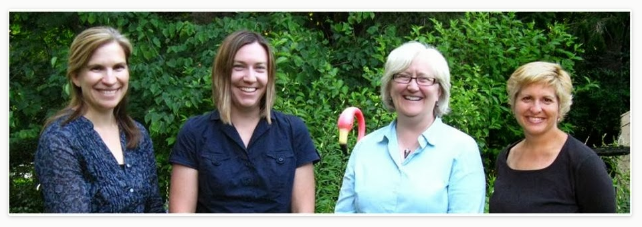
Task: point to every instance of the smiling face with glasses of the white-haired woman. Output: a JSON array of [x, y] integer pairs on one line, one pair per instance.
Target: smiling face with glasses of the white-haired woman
[[411, 99]]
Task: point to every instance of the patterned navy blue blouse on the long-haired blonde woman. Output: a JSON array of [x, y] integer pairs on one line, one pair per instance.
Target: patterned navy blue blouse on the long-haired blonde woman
[[78, 173]]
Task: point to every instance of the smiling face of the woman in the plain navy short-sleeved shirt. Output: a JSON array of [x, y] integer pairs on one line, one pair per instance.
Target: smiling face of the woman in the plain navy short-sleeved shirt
[[249, 77]]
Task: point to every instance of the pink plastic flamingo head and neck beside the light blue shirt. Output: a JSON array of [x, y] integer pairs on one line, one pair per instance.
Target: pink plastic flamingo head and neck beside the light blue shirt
[[346, 120]]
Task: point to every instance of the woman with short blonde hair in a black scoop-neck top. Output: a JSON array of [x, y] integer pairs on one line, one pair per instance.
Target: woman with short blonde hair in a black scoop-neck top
[[548, 171]]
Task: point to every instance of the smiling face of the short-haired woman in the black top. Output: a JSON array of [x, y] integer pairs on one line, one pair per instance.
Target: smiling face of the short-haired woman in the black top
[[536, 109]]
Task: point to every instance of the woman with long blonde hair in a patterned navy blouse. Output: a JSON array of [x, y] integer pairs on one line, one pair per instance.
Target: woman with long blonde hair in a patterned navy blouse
[[92, 157]]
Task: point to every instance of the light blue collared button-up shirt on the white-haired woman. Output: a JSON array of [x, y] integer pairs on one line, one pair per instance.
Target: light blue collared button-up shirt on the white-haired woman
[[444, 175]]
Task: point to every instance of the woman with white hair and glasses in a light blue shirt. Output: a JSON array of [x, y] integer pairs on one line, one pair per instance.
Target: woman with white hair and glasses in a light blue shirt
[[416, 164]]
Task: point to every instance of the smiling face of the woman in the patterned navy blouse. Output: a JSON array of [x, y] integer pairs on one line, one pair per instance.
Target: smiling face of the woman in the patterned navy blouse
[[105, 78]]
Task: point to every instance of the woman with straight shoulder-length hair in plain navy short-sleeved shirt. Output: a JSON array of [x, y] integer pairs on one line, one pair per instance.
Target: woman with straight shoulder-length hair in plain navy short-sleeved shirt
[[243, 157]]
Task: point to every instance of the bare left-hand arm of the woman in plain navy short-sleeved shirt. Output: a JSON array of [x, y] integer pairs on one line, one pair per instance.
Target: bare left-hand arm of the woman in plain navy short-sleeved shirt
[[183, 190]]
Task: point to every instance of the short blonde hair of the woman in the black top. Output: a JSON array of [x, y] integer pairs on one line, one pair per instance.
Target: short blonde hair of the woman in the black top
[[546, 73]]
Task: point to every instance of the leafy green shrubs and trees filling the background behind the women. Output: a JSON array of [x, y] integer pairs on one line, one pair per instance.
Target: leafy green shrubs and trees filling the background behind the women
[[326, 61]]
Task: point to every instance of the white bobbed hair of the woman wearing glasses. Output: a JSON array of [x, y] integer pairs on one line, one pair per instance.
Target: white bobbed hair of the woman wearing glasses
[[400, 59]]
